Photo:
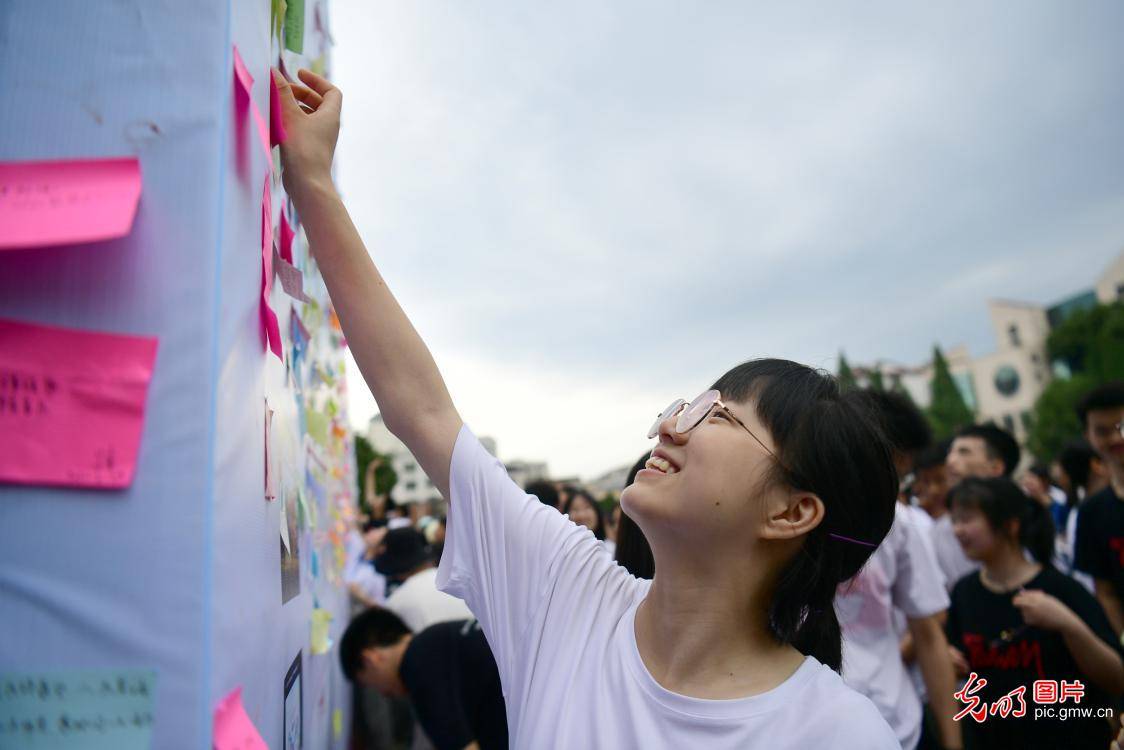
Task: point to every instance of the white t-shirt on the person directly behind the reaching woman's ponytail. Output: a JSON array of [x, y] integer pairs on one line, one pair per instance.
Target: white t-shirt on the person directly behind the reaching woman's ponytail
[[901, 575]]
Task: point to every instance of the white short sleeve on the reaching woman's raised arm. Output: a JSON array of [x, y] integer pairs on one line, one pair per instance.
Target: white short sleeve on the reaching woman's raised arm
[[501, 548]]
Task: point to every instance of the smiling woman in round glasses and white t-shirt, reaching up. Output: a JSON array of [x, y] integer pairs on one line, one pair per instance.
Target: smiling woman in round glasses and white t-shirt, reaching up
[[760, 498]]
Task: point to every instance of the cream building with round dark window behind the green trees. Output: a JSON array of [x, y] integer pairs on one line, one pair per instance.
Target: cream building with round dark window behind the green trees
[[1004, 385]]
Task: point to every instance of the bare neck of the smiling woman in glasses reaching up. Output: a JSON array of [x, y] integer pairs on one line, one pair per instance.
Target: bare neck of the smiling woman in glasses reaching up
[[705, 635]]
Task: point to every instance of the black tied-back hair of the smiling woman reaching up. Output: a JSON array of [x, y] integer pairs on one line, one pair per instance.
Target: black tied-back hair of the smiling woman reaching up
[[830, 444]]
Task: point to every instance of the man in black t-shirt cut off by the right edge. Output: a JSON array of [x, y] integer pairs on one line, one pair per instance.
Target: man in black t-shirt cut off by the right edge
[[1099, 549]]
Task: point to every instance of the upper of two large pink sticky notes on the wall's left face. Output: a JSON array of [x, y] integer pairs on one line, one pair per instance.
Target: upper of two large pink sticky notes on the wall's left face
[[67, 203]]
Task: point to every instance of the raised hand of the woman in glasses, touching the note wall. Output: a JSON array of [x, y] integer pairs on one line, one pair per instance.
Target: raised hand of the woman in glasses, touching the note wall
[[311, 115]]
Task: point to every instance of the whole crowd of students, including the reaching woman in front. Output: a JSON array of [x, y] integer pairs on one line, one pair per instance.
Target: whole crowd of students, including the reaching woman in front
[[794, 565]]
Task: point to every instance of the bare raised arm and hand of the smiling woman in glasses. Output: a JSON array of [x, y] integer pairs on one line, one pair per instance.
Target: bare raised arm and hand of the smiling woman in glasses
[[395, 363]]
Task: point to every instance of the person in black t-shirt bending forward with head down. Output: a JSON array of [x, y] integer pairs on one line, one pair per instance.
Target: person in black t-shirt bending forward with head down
[[447, 671]]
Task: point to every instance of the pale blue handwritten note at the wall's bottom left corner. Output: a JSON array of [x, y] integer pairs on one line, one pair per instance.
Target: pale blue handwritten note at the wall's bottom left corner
[[89, 710]]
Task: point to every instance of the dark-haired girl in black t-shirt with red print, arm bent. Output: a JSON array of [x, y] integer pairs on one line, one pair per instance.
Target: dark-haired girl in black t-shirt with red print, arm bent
[[1017, 622]]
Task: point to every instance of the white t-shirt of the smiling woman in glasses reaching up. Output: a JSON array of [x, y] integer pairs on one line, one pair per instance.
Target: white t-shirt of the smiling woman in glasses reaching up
[[558, 613]]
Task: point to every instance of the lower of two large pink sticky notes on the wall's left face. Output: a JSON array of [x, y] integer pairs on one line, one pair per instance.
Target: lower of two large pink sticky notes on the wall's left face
[[71, 405]]
